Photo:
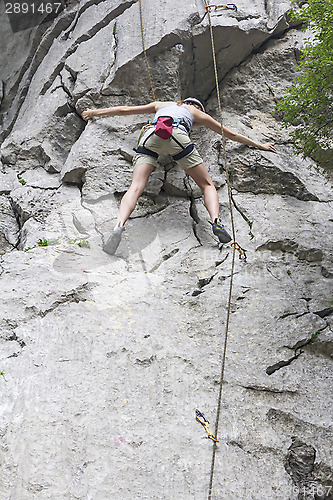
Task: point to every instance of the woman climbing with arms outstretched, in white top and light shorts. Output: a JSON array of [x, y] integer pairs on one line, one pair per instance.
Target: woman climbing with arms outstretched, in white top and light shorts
[[168, 133]]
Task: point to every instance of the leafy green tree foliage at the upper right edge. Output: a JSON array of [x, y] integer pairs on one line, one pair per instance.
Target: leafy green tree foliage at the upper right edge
[[308, 103]]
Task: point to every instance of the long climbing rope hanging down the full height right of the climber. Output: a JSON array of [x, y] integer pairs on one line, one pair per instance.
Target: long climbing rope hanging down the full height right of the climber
[[233, 259]]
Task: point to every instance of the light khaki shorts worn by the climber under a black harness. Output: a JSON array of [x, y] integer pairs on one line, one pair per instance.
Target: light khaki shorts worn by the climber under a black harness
[[167, 147]]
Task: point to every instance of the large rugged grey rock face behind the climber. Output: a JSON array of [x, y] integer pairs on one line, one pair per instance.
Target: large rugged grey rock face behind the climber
[[103, 359]]
